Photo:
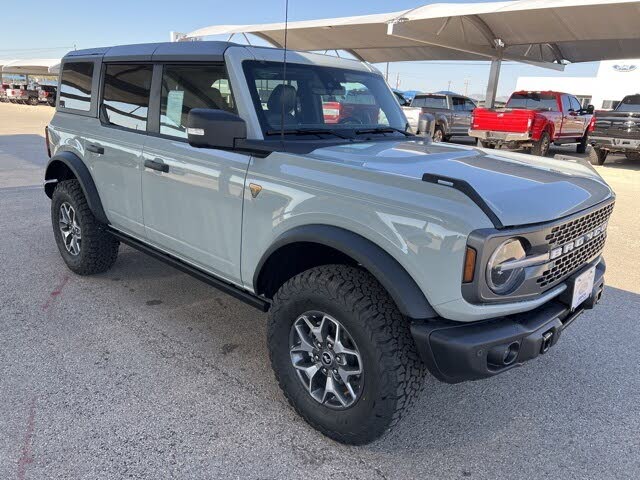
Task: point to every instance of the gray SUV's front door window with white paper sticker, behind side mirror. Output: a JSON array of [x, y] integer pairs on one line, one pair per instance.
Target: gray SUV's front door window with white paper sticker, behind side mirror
[[187, 87]]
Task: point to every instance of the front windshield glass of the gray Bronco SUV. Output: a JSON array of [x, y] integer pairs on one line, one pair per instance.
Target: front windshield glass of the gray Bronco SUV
[[321, 98]]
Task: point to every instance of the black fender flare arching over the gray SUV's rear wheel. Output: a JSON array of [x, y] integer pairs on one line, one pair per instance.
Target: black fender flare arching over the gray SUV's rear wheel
[[82, 174]]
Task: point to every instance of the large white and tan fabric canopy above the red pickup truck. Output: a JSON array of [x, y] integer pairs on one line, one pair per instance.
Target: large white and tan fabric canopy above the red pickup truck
[[542, 32]]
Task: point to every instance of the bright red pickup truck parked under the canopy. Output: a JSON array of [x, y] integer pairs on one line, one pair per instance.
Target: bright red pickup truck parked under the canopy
[[534, 120]]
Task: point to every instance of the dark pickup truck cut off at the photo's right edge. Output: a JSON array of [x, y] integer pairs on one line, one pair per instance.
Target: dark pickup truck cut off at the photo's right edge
[[617, 131]]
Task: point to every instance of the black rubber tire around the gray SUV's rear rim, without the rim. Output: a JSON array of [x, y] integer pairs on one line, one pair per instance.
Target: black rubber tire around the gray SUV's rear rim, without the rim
[[99, 249]]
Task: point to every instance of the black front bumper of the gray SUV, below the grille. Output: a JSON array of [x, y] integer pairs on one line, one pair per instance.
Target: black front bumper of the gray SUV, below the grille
[[456, 352]]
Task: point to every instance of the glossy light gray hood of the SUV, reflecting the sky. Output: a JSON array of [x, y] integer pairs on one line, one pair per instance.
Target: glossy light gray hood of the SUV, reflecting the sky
[[520, 189]]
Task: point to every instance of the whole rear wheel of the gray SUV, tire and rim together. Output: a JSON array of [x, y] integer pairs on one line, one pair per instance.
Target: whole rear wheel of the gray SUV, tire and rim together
[[84, 243]]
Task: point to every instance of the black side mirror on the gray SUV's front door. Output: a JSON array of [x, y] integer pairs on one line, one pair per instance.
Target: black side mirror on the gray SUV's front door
[[210, 128]]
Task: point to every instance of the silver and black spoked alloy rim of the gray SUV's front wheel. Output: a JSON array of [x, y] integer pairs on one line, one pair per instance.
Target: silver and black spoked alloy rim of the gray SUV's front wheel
[[326, 359]]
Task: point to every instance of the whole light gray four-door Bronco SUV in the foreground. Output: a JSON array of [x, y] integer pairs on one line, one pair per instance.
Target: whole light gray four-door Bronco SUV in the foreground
[[377, 254]]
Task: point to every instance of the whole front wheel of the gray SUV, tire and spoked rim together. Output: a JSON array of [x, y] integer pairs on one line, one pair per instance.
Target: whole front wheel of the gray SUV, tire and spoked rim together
[[342, 353]]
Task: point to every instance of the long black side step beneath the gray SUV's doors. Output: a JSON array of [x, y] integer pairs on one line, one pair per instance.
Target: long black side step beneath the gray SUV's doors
[[222, 285]]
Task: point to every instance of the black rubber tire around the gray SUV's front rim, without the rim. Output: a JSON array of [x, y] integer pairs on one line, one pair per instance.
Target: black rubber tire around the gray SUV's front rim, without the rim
[[393, 371]]
